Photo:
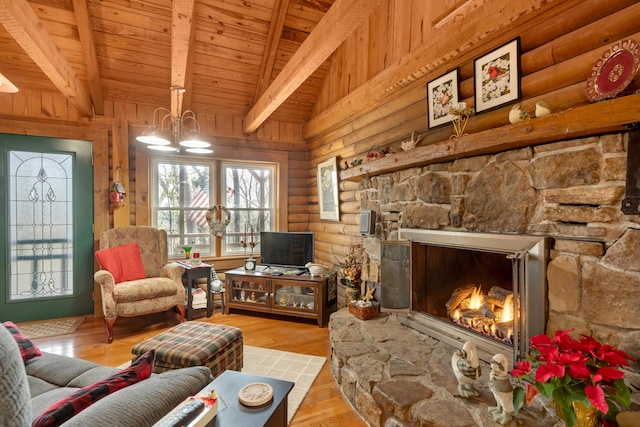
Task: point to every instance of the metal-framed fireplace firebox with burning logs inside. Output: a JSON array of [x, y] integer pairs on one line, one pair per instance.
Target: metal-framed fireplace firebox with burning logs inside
[[486, 288]]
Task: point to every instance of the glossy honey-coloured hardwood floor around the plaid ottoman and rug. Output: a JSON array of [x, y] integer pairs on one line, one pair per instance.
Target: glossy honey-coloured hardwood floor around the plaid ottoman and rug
[[324, 405]]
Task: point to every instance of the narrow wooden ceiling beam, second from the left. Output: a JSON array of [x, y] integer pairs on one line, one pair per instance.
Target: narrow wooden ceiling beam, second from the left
[[85, 32]]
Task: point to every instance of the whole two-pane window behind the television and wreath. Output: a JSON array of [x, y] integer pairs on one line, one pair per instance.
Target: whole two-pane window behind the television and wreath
[[184, 189]]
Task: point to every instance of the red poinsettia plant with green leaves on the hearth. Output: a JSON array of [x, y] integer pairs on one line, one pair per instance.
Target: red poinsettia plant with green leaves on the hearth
[[567, 370]]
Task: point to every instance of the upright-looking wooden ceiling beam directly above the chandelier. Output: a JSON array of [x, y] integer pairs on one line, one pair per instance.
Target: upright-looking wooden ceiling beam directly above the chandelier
[[182, 38]]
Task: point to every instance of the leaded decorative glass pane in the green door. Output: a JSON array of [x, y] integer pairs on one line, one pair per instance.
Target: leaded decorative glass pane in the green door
[[40, 224]]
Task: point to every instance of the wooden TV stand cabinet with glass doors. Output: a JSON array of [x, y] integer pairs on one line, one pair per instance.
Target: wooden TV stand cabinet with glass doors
[[290, 295]]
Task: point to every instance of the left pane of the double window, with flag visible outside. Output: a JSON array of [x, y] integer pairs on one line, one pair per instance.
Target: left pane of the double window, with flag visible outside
[[182, 194]]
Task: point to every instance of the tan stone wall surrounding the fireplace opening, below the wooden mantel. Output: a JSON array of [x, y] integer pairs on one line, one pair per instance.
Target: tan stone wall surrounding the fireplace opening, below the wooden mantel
[[567, 192]]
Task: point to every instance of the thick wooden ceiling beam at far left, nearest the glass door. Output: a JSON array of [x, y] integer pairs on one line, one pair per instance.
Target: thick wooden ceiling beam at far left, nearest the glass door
[[24, 26]]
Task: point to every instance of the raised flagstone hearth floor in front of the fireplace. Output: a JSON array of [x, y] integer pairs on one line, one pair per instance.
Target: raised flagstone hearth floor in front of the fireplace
[[395, 376]]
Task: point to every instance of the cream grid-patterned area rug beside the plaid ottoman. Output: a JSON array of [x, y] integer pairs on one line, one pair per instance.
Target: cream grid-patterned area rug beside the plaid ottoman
[[301, 369]]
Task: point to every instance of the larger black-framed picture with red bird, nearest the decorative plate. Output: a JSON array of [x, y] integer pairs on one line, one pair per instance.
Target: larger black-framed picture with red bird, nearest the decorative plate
[[497, 77]]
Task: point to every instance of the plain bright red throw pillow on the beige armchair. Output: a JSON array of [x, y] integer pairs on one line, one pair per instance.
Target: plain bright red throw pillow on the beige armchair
[[123, 262]]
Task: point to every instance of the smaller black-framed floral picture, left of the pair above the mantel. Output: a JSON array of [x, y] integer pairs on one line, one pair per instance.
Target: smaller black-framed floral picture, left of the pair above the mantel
[[442, 94]]
